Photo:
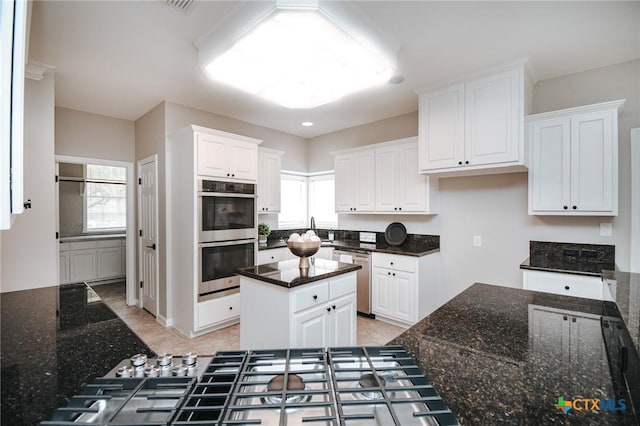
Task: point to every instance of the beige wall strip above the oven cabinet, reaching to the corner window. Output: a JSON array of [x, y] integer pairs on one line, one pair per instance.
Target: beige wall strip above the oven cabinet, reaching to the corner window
[[295, 147]]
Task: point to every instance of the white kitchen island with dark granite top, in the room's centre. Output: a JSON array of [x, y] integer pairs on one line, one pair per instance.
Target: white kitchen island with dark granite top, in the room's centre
[[282, 305]]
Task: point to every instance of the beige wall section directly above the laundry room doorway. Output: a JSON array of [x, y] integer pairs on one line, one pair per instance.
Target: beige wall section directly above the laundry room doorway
[[81, 134]]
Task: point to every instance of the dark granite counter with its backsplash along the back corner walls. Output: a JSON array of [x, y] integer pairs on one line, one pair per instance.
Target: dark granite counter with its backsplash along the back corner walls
[[415, 245]]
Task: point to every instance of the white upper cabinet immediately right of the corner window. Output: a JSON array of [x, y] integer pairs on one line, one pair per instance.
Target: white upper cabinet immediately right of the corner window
[[354, 177]]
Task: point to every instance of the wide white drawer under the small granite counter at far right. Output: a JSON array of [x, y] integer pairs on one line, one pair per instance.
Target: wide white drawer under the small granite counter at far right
[[564, 284]]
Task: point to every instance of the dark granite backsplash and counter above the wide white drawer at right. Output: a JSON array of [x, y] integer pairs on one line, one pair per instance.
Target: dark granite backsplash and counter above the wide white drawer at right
[[580, 259]]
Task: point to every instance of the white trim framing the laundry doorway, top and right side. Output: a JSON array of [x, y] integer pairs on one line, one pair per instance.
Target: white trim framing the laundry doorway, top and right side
[[131, 225]]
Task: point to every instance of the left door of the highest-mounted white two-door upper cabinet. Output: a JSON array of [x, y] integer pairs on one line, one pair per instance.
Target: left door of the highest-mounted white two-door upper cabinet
[[442, 128]]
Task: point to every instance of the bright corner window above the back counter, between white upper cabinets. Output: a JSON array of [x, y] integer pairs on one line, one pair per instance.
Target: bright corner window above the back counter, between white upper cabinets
[[304, 196]]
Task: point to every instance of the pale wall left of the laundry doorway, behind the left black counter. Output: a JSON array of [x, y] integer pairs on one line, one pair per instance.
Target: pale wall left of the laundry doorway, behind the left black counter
[[29, 248]]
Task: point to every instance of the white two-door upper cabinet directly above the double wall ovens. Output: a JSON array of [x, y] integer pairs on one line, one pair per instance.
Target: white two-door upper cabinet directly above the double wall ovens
[[225, 155]]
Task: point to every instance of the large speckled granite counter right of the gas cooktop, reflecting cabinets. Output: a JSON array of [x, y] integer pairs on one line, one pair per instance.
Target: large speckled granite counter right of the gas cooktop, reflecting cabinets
[[503, 356]]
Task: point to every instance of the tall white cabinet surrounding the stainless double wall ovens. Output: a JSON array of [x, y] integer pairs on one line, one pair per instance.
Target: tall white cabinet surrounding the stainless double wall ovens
[[194, 152]]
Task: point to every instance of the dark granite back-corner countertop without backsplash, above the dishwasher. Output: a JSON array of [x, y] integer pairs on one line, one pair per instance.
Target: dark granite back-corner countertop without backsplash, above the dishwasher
[[409, 248]]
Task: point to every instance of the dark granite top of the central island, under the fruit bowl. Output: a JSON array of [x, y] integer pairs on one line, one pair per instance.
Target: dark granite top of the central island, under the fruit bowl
[[287, 273]]
